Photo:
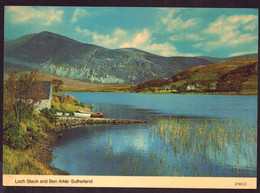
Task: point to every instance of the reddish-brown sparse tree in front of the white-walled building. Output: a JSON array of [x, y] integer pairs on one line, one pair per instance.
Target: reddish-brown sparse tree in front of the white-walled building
[[24, 93]]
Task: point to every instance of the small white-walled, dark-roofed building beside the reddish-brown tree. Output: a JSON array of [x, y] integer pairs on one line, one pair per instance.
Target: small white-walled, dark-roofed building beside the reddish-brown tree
[[46, 100]]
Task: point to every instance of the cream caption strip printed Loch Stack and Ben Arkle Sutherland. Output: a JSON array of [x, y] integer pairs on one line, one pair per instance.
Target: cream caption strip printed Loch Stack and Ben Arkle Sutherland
[[131, 181]]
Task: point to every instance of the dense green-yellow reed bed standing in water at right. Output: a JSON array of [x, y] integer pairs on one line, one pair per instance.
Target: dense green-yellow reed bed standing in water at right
[[231, 142]]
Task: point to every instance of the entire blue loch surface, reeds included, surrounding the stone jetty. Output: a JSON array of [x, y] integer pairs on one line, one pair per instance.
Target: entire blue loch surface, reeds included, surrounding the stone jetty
[[186, 135]]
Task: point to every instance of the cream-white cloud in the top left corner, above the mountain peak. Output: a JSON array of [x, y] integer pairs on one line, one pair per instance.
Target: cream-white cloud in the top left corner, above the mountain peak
[[24, 14]]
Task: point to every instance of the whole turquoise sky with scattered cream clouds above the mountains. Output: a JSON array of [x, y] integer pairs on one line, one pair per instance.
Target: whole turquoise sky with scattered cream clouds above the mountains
[[214, 32]]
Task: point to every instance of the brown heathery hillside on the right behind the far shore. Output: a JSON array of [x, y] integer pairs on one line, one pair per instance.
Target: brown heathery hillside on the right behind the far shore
[[233, 76]]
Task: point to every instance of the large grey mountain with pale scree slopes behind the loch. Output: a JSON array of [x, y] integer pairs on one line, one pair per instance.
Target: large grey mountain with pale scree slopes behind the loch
[[59, 55]]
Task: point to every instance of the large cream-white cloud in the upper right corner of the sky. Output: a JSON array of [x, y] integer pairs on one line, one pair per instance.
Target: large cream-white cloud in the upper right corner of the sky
[[230, 31]]
